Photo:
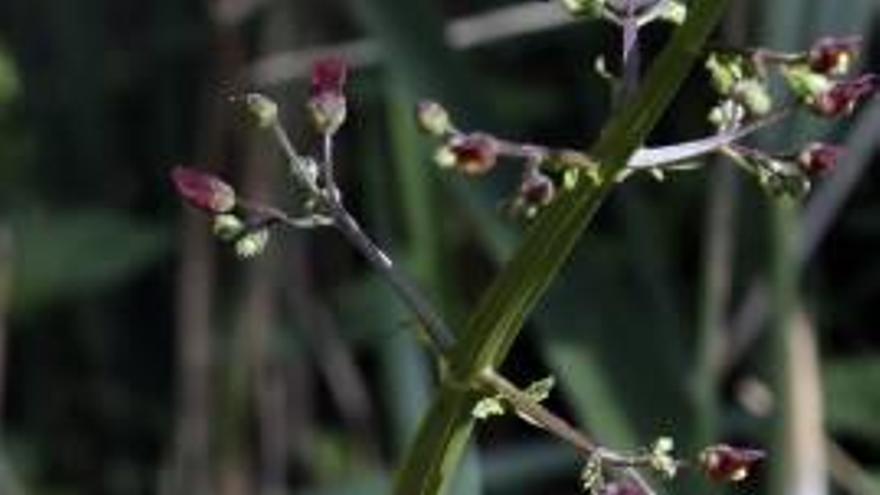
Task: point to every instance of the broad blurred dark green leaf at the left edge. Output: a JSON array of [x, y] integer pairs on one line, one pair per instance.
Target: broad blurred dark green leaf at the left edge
[[73, 254]]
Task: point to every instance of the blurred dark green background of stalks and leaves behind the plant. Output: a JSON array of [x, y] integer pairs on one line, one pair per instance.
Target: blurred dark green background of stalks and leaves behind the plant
[[138, 356]]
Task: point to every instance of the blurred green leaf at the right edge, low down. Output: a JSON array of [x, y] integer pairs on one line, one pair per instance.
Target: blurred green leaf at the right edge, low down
[[852, 396]]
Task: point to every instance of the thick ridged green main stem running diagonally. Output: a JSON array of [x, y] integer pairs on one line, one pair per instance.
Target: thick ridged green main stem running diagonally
[[501, 313]]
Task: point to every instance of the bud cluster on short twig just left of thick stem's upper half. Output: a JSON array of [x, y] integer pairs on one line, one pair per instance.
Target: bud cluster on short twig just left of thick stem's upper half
[[478, 153]]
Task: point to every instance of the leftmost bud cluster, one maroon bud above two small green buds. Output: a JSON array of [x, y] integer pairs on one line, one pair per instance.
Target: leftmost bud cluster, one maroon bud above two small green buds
[[210, 194]]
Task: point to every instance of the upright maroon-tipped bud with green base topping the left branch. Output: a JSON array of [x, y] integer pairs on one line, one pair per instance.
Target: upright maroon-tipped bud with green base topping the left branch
[[327, 104]]
